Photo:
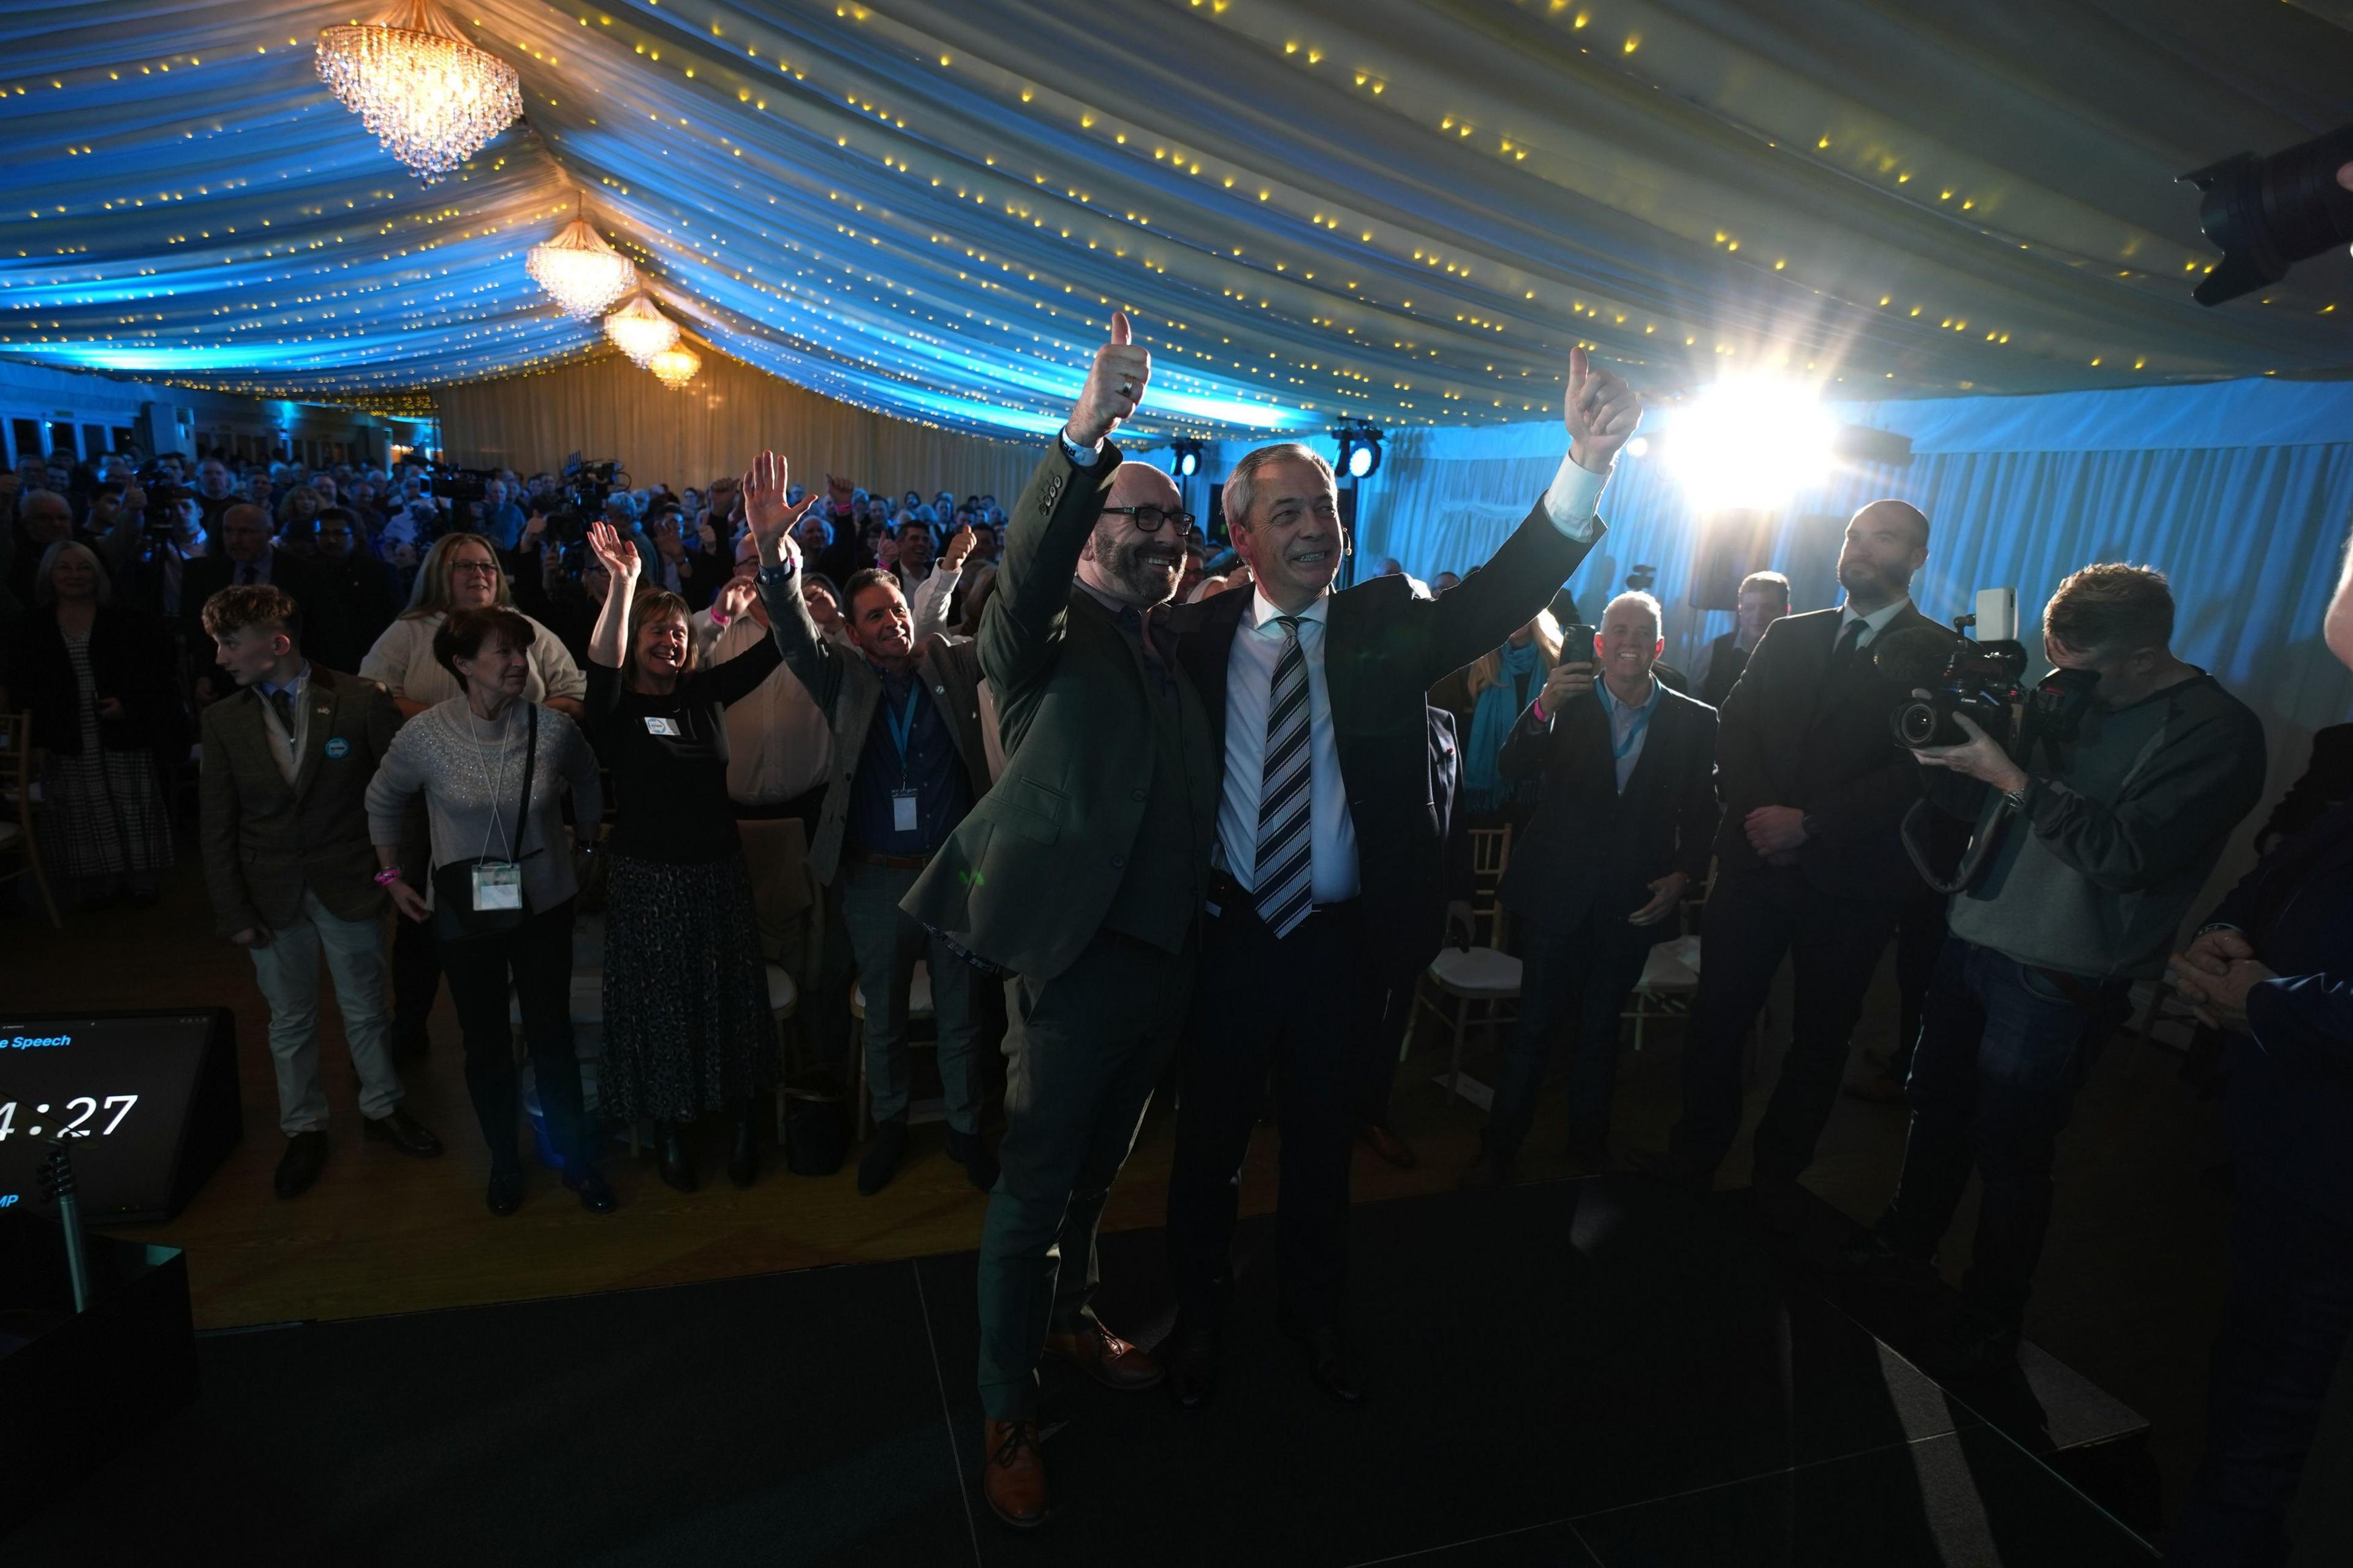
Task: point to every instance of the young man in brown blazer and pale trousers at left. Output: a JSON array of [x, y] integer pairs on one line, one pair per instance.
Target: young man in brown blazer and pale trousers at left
[[291, 863]]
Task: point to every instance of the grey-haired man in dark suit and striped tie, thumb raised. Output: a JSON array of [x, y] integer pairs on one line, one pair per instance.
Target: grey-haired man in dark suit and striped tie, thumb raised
[[1331, 875]]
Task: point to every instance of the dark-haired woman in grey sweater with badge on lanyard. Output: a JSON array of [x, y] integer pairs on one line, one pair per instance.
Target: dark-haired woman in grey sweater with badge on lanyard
[[467, 759]]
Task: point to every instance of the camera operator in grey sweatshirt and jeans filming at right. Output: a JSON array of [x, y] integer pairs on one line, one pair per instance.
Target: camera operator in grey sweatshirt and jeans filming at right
[[2100, 846]]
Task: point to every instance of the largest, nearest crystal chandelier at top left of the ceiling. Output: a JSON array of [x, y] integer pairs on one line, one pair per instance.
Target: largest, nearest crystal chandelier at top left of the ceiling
[[420, 86]]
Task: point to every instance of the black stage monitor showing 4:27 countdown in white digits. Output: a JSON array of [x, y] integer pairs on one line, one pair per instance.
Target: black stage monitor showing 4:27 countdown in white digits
[[138, 1098]]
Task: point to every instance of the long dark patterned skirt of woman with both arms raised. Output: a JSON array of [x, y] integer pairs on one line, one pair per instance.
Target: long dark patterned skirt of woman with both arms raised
[[686, 990]]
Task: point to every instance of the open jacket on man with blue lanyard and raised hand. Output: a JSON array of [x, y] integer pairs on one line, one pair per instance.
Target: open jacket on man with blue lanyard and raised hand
[[851, 693]]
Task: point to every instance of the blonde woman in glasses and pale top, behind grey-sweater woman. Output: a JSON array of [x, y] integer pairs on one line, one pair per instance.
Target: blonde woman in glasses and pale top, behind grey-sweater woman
[[460, 573]]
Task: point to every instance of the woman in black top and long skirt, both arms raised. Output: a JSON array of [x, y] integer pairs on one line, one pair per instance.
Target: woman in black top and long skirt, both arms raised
[[688, 1028]]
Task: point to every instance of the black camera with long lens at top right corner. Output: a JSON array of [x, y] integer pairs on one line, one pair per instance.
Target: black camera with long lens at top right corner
[[2272, 213]]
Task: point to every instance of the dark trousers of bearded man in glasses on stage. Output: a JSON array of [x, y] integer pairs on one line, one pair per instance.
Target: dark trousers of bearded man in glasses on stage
[[1081, 1061]]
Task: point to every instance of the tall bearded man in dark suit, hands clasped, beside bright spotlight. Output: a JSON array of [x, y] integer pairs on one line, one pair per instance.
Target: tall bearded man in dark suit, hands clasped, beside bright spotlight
[[1811, 863]]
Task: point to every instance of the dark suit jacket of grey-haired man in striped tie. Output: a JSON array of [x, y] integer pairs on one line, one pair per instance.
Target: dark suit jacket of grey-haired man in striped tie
[[1385, 646]]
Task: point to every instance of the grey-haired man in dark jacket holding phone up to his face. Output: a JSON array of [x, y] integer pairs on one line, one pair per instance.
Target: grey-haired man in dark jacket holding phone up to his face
[[1625, 825]]
